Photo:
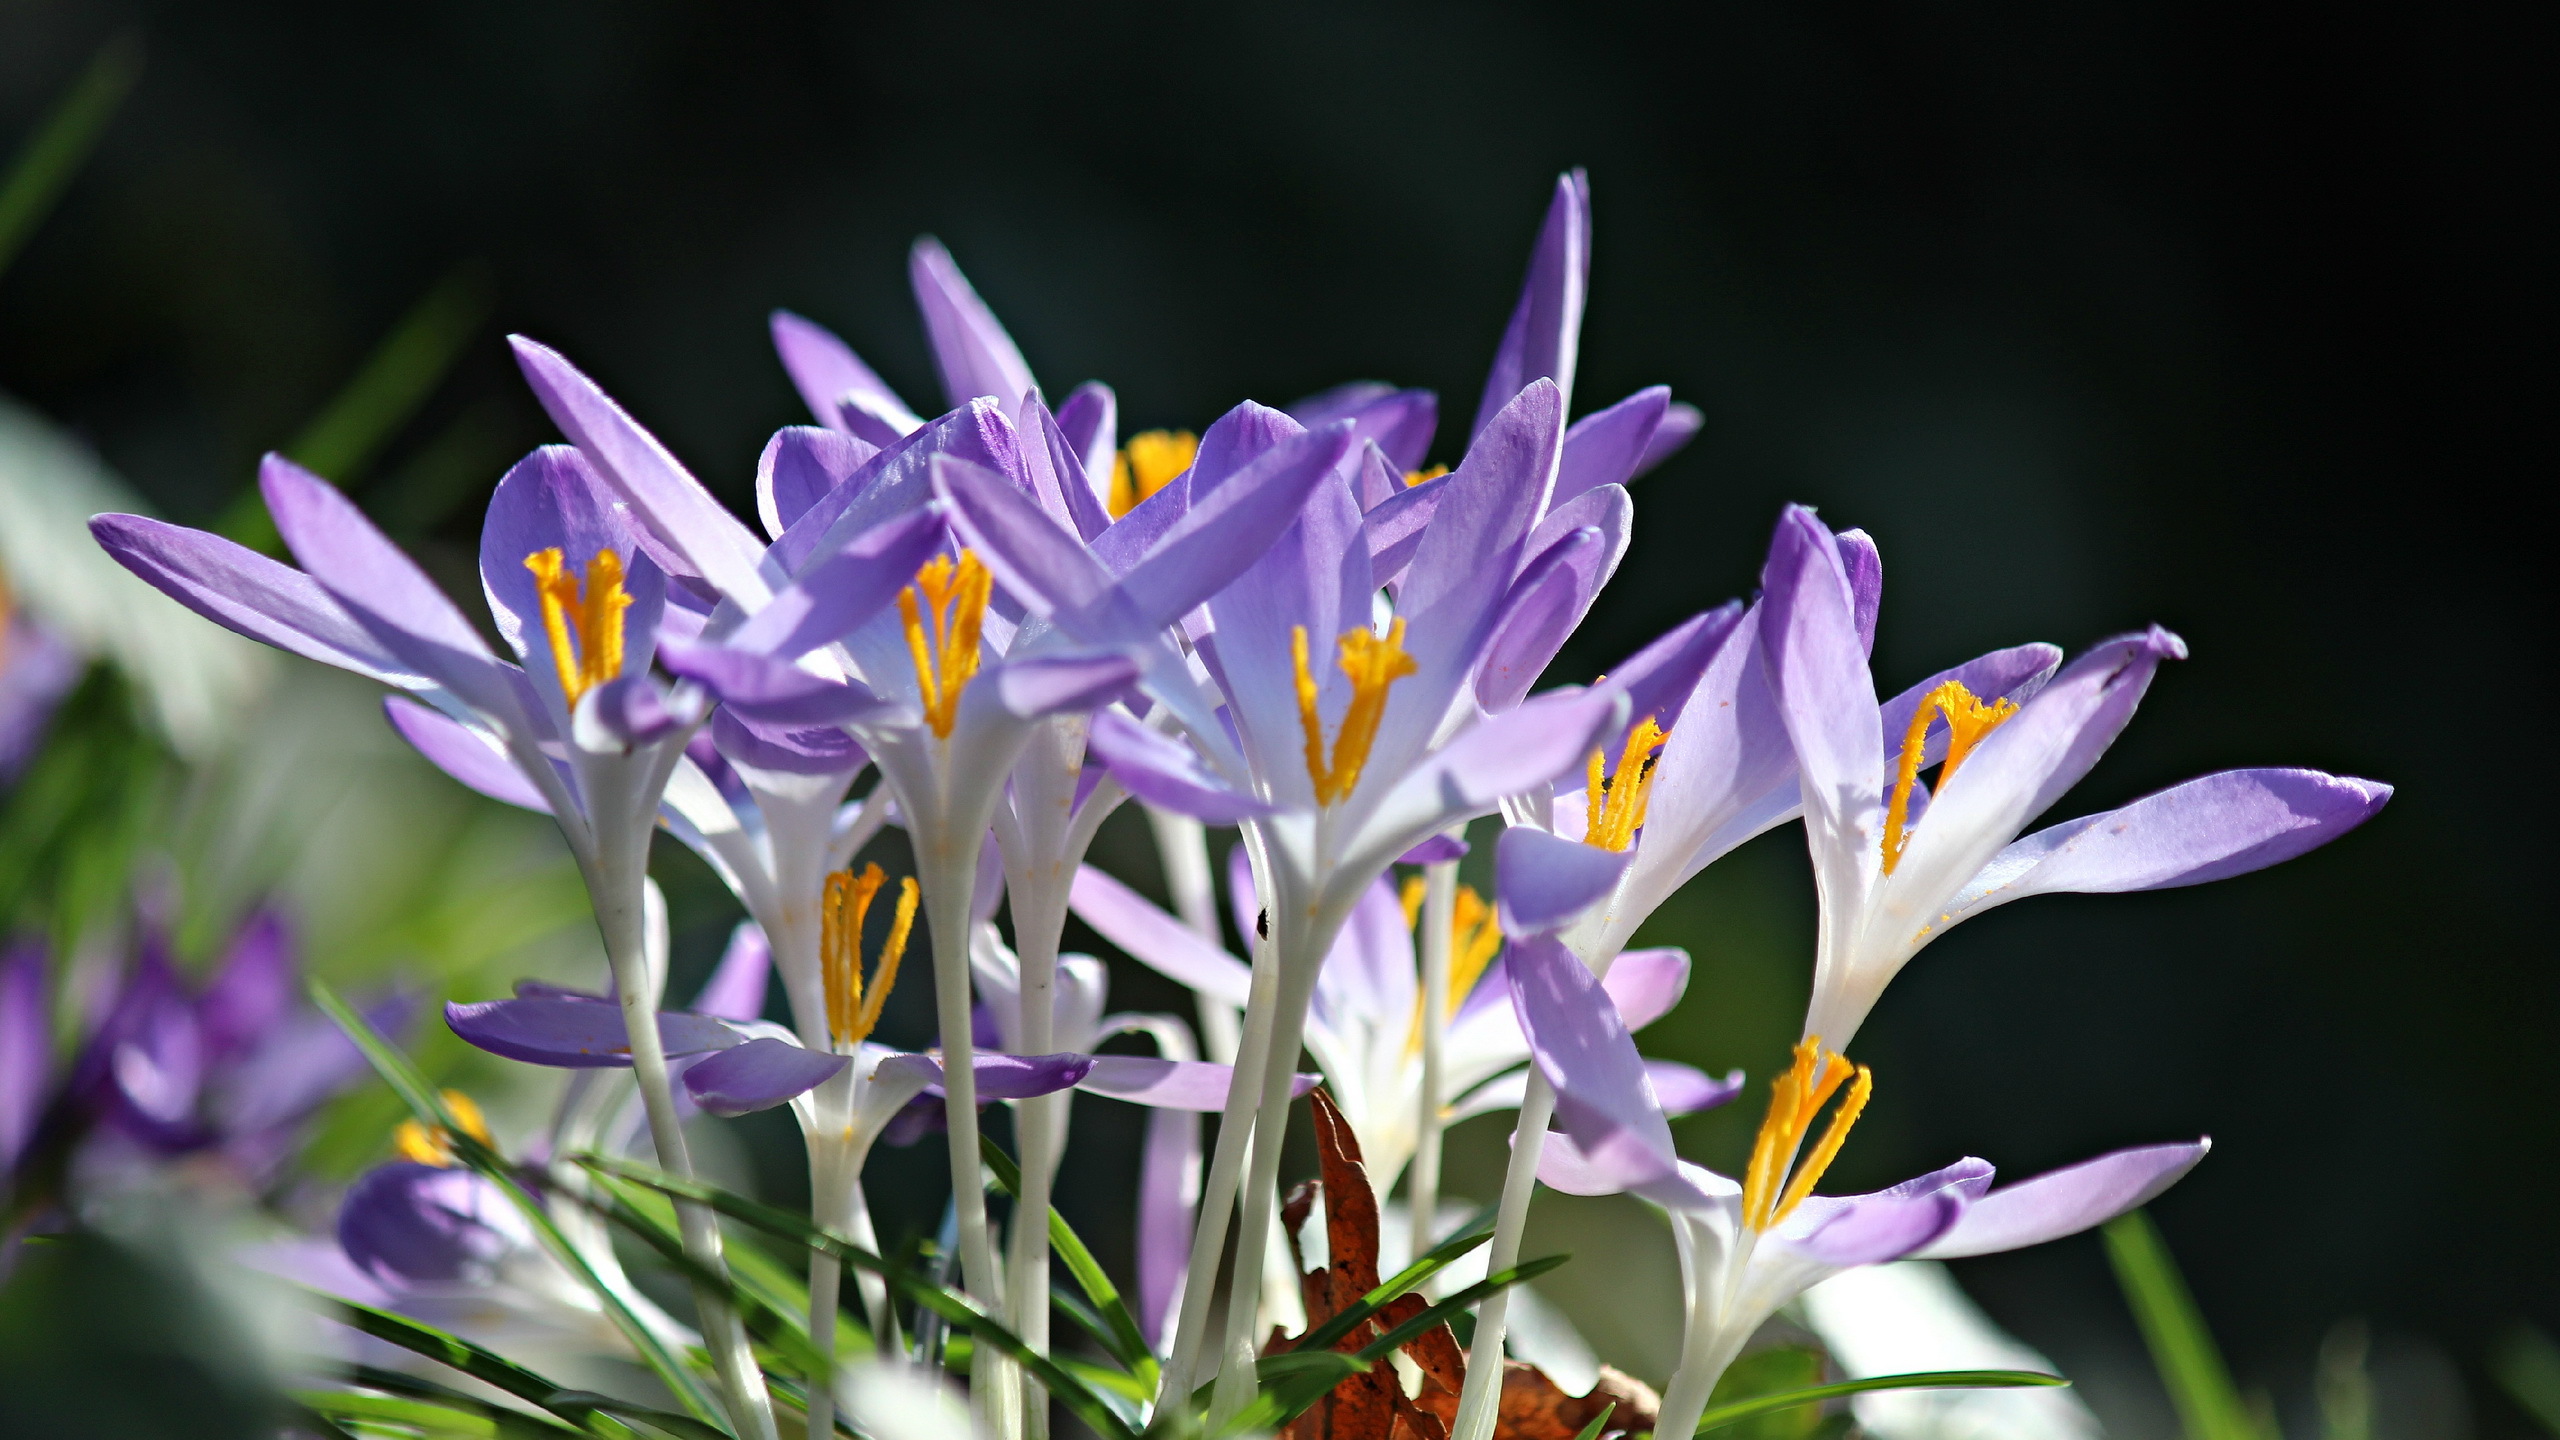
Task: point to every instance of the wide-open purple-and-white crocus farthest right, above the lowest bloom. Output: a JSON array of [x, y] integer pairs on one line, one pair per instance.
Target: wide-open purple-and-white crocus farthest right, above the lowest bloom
[[1901, 867]]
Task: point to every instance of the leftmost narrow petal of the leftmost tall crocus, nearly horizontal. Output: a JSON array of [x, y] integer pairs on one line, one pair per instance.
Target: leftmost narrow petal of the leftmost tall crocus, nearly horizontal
[[247, 593]]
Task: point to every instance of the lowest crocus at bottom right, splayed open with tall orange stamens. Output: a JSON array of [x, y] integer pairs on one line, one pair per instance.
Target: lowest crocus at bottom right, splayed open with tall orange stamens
[[1752, 1247]]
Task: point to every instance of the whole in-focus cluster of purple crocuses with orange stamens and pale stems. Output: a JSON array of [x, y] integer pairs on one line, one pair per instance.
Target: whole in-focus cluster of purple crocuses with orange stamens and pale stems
[[1286, 626]]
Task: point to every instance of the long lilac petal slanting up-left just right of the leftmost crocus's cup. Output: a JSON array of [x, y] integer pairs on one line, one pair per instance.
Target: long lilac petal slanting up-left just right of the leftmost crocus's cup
[[685, 529]]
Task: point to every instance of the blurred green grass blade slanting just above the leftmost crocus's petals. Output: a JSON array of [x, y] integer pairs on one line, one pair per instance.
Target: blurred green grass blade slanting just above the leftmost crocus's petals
[[380, 398]]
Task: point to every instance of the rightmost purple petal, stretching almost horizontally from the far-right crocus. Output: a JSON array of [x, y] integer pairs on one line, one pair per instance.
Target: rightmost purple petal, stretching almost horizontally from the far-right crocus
[[2190, 834]]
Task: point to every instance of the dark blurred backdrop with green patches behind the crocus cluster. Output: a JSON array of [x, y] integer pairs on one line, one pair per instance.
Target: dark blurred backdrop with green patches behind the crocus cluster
[[2231, 319]]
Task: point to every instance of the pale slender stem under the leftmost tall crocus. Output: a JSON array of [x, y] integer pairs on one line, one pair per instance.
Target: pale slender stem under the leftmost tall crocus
[[616, 883]]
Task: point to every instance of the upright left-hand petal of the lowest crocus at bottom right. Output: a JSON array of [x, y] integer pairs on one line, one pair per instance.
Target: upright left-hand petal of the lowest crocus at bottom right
[[1583, 1049]]
